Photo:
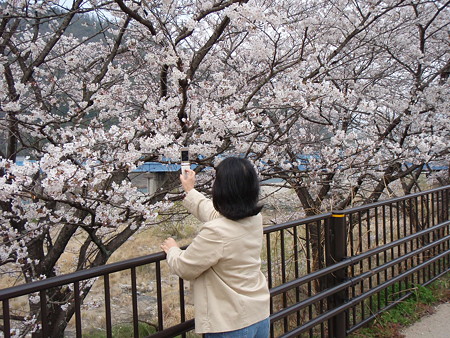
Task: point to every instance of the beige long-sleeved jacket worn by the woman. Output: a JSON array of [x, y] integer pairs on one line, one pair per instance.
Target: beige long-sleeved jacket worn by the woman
[[223, 262]]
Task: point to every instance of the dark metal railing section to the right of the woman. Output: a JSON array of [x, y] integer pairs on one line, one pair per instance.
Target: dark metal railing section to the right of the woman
[[369, 259]]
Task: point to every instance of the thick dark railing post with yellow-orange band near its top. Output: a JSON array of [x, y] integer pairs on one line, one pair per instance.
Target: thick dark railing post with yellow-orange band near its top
[[337, 252]]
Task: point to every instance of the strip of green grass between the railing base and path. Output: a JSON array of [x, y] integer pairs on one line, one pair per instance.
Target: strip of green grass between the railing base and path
[[390, 323]]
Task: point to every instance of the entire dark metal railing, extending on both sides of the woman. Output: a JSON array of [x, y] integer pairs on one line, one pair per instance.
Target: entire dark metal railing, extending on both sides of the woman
[[328, 275]]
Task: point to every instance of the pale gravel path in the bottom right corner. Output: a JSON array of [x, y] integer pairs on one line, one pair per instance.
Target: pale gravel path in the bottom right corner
[[436, 325]]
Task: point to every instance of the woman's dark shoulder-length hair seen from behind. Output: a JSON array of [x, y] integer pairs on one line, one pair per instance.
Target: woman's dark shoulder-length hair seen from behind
[[235, 191]]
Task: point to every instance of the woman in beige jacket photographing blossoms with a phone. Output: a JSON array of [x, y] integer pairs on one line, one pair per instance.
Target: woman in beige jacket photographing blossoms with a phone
[[231, 296]]
